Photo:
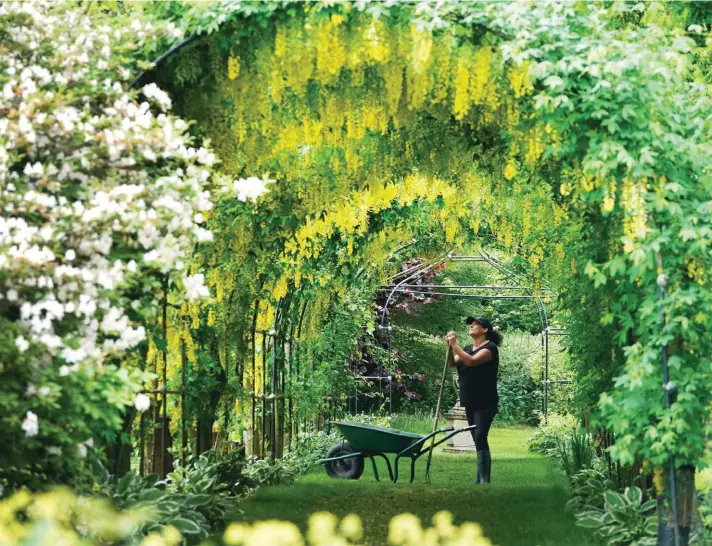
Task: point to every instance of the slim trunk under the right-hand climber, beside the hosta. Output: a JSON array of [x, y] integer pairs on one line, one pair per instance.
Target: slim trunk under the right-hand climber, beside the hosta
[[686, 506]]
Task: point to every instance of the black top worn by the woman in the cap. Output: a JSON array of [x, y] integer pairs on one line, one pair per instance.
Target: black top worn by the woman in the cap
[[478, 384]]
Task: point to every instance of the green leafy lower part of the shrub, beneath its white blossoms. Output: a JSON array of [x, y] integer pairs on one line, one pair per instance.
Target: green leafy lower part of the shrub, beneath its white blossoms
[[76, 412]]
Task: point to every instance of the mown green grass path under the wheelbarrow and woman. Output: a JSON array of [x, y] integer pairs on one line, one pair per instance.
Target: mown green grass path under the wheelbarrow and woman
[[524, 505]]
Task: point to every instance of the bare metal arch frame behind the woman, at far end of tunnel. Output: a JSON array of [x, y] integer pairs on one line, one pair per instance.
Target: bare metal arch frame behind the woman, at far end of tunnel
[[403, 286]]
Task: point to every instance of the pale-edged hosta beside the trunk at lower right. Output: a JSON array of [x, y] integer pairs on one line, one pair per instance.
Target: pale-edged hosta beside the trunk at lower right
[[624, 519]]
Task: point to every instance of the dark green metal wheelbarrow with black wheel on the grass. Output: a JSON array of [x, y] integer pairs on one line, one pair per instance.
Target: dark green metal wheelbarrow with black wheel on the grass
[[346, 459]]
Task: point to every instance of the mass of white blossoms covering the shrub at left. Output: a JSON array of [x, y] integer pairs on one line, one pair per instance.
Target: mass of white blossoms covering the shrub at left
[[81, 183]]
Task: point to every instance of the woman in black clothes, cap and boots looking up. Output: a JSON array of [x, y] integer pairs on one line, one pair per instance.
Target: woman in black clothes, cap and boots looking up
[[477, 368]]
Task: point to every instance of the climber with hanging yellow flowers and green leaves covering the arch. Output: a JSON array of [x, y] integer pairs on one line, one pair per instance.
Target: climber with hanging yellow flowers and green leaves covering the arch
[[570, 137]]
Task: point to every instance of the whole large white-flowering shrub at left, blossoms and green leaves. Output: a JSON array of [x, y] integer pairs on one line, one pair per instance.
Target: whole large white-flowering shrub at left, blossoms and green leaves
[[103, 196]]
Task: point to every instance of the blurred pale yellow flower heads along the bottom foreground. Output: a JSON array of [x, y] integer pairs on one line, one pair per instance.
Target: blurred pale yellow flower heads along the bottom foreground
[[61, 517]]
